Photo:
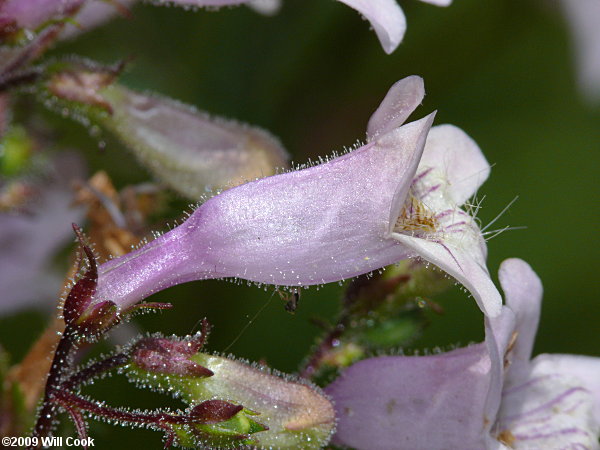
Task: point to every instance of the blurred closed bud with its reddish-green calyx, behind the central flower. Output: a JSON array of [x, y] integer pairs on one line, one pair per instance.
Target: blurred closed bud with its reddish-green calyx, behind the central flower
[[188, 150]]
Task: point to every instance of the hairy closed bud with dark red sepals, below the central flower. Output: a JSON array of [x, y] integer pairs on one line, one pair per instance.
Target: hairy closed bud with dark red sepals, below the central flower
[[277, 412]]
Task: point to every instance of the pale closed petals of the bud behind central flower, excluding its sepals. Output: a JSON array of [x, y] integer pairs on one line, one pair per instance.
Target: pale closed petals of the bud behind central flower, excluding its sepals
[[190, 151]]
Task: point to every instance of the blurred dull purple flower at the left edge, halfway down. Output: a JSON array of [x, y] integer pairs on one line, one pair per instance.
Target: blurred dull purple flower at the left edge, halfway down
[[28, 241]]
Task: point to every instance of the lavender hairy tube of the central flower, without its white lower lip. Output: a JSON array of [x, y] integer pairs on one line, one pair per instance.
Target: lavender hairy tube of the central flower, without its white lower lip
[[311, 226]]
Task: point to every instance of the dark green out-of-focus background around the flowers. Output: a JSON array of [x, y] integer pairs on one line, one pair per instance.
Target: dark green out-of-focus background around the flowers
[[502, 70]]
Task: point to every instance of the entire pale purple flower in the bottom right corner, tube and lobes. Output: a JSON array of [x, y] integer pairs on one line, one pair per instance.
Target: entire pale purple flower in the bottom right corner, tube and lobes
[[484, 396]]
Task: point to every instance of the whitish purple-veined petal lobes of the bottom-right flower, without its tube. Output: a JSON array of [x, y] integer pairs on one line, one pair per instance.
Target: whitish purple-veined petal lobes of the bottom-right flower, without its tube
[[552, 401]]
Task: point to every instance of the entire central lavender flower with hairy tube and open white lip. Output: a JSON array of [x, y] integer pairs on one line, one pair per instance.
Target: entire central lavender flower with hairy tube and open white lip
[[359, 212]]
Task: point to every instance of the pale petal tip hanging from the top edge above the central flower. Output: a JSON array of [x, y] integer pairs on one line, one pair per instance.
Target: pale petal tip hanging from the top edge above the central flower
[[386, 18]]
